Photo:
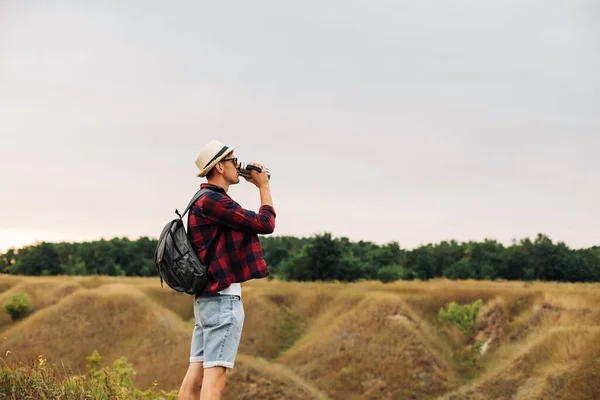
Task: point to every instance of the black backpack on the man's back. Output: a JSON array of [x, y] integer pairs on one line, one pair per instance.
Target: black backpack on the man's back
[[176, 259]]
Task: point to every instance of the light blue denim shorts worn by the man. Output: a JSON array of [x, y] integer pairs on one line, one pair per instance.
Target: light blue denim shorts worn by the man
[[218, 329]]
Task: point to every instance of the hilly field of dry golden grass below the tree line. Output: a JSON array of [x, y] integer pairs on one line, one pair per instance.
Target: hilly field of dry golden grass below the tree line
[[363, 340]]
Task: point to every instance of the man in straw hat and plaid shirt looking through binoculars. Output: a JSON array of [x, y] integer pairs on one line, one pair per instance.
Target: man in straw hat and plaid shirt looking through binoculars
[[225, 236]]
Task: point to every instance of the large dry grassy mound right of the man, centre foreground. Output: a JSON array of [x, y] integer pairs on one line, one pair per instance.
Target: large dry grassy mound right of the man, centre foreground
[[375, 349]]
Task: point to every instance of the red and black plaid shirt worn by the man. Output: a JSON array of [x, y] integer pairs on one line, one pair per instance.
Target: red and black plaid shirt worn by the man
[[237, 255]]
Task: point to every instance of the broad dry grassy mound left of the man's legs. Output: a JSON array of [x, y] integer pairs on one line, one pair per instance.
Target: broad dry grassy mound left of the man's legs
[[115, 320]]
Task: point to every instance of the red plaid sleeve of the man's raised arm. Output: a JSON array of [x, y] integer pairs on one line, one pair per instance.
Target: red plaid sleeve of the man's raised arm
[[223, 210]]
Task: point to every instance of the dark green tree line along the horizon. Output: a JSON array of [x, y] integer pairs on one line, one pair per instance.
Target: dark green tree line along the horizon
[[323, 257]]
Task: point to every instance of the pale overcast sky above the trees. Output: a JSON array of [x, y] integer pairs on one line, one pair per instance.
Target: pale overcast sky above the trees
[[414, 121]]
